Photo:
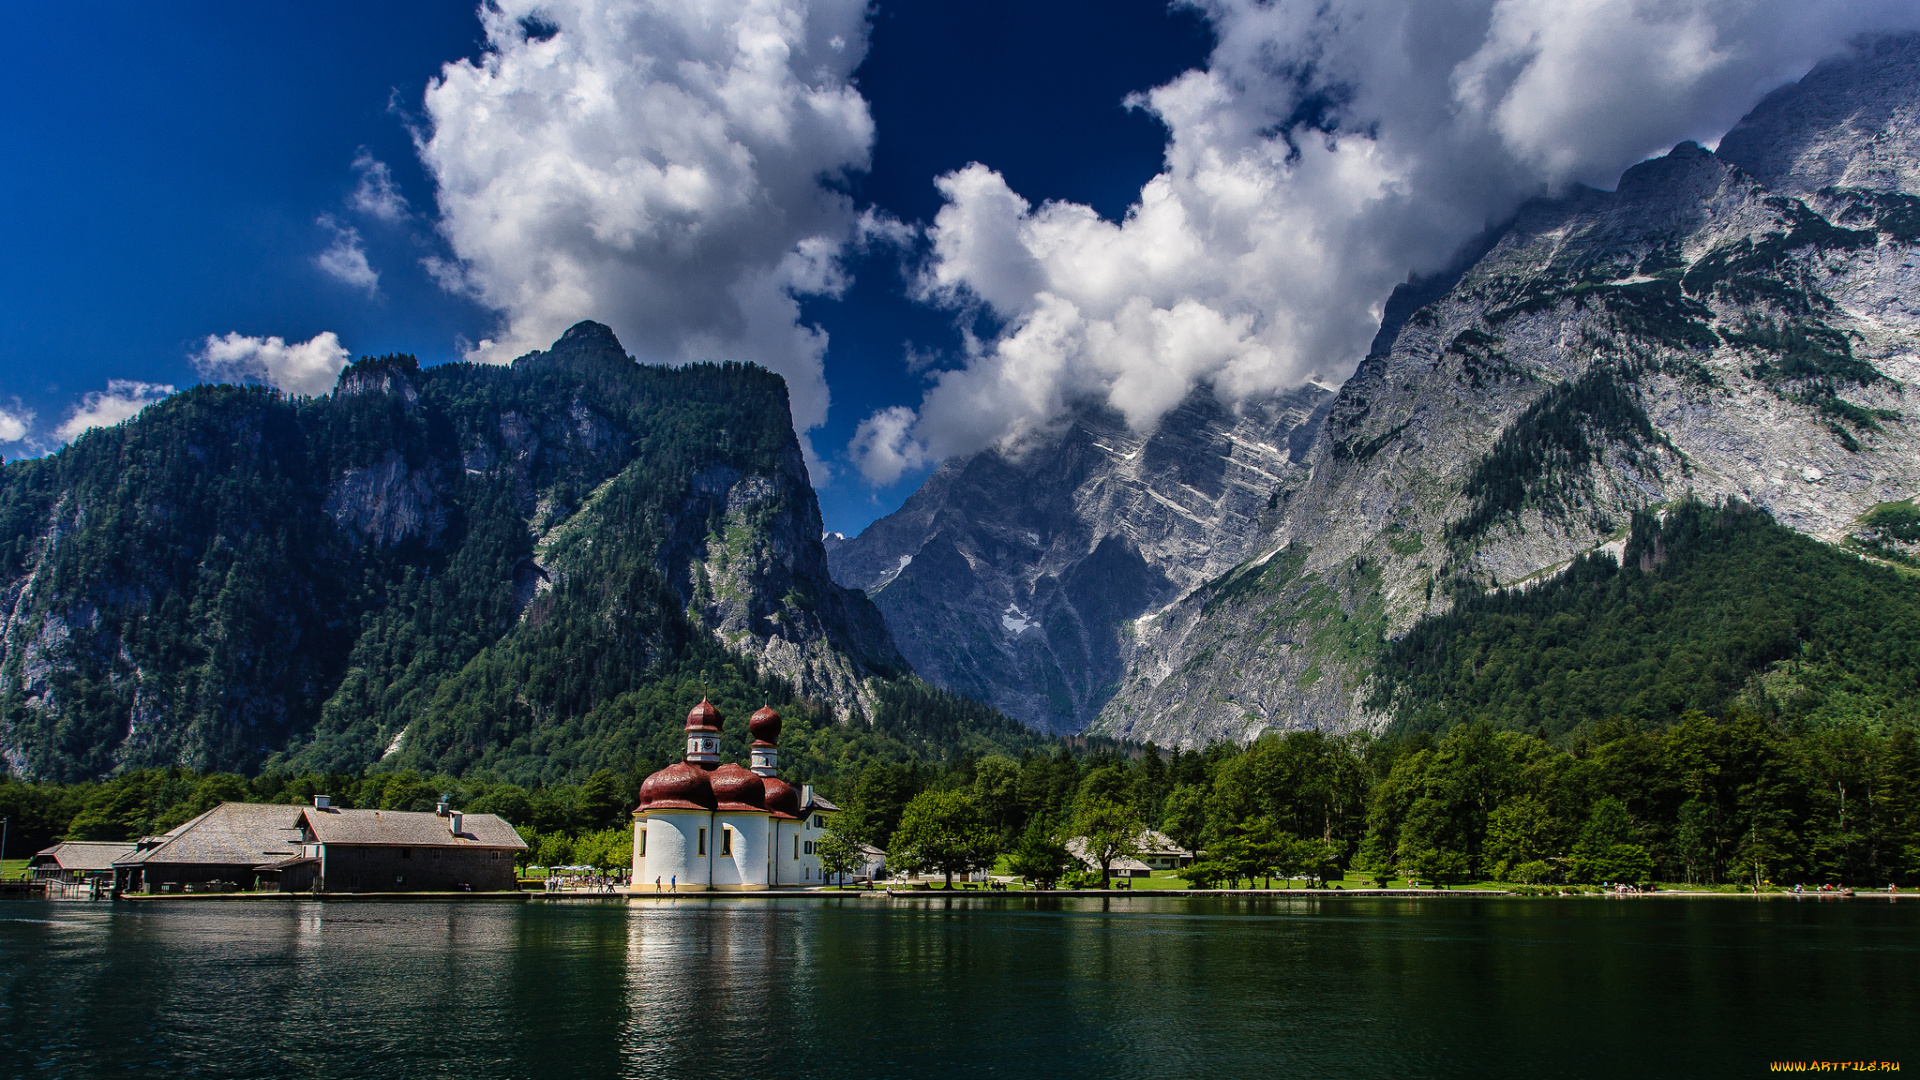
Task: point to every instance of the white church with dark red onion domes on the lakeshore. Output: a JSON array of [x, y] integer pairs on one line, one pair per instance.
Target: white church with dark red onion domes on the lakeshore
[[704, 825]]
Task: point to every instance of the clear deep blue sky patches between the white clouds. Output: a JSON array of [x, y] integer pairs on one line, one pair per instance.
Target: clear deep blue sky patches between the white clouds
[[172, 164]]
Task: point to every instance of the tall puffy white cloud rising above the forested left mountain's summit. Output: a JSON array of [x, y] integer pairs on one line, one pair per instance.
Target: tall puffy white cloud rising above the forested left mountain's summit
[[656, 166]]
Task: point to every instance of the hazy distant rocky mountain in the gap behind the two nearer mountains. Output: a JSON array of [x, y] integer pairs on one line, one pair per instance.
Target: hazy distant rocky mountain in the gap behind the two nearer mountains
[[1019, 579]]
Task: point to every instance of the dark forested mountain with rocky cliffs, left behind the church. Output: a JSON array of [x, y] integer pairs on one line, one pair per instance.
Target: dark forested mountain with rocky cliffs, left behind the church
[[454, 568]]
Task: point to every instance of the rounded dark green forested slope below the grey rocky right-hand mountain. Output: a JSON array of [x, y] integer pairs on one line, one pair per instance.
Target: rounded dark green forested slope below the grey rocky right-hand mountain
[[1704, 610]]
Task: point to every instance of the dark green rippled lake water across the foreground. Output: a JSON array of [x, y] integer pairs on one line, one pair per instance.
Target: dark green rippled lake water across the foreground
[[1005, 987]]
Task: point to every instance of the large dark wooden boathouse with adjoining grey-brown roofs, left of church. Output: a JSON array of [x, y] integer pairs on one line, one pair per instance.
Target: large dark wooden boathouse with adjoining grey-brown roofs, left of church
[[324, 848]]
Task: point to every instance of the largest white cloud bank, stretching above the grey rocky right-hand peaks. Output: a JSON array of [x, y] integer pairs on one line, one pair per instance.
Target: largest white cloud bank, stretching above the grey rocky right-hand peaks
[[1330, 149]]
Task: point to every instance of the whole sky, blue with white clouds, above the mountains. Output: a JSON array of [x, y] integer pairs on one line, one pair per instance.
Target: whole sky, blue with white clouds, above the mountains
[[949, 226]]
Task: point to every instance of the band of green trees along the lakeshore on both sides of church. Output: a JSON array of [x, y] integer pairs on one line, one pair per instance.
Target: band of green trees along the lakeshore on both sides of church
[[1725, 800]]
